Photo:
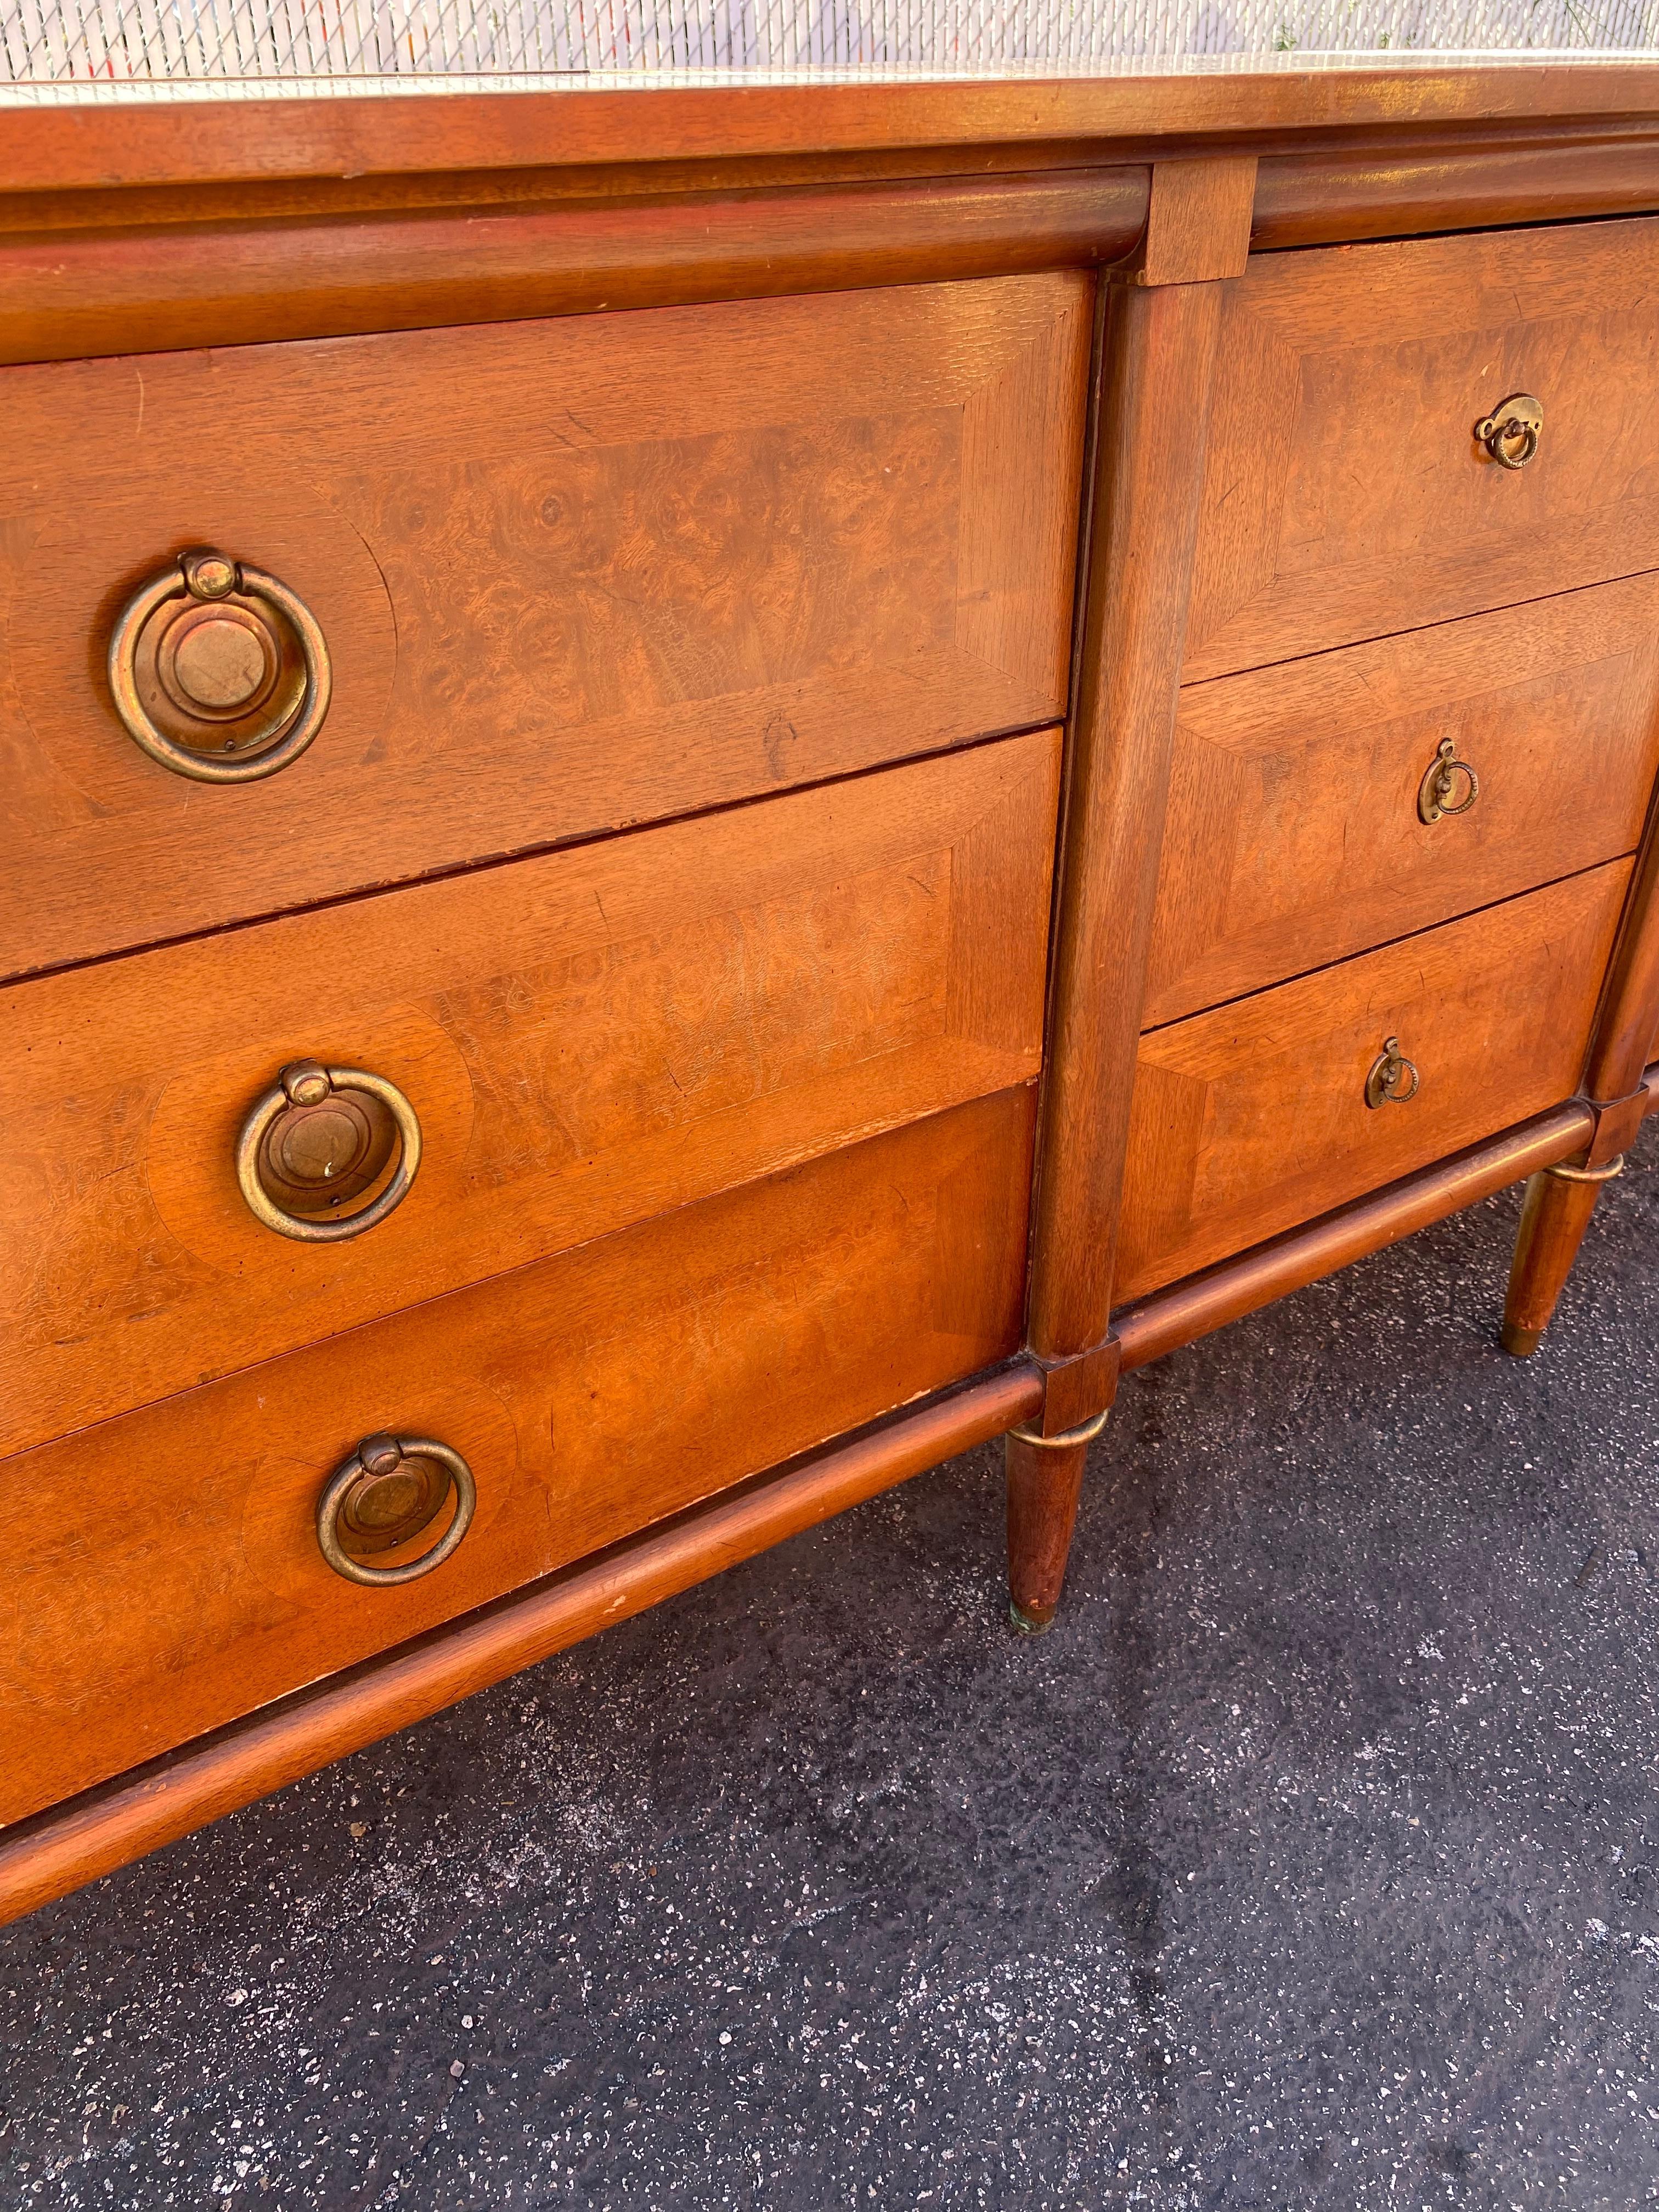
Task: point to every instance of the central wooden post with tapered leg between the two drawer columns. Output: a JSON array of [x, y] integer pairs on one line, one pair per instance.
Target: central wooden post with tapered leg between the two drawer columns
[[1162, 326]]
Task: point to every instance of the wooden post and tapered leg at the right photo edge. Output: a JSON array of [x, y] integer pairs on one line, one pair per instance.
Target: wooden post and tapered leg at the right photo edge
[[1561, 1200]]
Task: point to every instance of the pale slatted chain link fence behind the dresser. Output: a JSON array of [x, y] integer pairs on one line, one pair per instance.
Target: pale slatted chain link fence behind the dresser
[[158, 43]]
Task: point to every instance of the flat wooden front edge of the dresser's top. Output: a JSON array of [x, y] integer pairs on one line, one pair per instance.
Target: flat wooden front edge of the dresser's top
[[397, 134]]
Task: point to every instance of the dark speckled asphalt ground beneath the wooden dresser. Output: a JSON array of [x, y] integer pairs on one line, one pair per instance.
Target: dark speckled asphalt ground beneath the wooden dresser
[[1313, 1861]]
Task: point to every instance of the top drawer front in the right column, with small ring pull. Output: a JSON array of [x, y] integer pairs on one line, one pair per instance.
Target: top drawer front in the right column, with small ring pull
[[1346, 492]]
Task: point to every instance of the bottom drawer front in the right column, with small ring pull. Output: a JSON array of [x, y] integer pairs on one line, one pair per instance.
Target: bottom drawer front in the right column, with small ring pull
[[1253, 1118]]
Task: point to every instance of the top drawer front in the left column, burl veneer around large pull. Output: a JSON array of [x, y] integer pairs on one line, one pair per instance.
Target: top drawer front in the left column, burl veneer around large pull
[[574, 576]]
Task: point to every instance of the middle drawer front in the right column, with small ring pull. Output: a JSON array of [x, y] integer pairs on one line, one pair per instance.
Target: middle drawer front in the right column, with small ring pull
[[1293, 833]]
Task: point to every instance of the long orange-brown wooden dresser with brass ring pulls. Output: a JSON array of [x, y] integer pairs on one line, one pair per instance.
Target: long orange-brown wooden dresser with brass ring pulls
[[713, 793]]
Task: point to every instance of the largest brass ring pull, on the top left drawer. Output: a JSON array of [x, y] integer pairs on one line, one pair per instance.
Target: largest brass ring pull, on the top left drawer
[[218, 671]]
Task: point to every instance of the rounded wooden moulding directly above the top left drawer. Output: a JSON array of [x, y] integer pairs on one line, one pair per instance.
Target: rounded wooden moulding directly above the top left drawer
[[249, 278]]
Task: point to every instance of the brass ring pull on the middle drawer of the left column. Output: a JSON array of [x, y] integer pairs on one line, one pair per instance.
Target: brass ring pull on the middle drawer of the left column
[[322, 1138]]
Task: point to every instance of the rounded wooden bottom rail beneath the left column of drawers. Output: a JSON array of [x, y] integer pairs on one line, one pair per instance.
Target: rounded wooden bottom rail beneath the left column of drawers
[[56, 1853]]
